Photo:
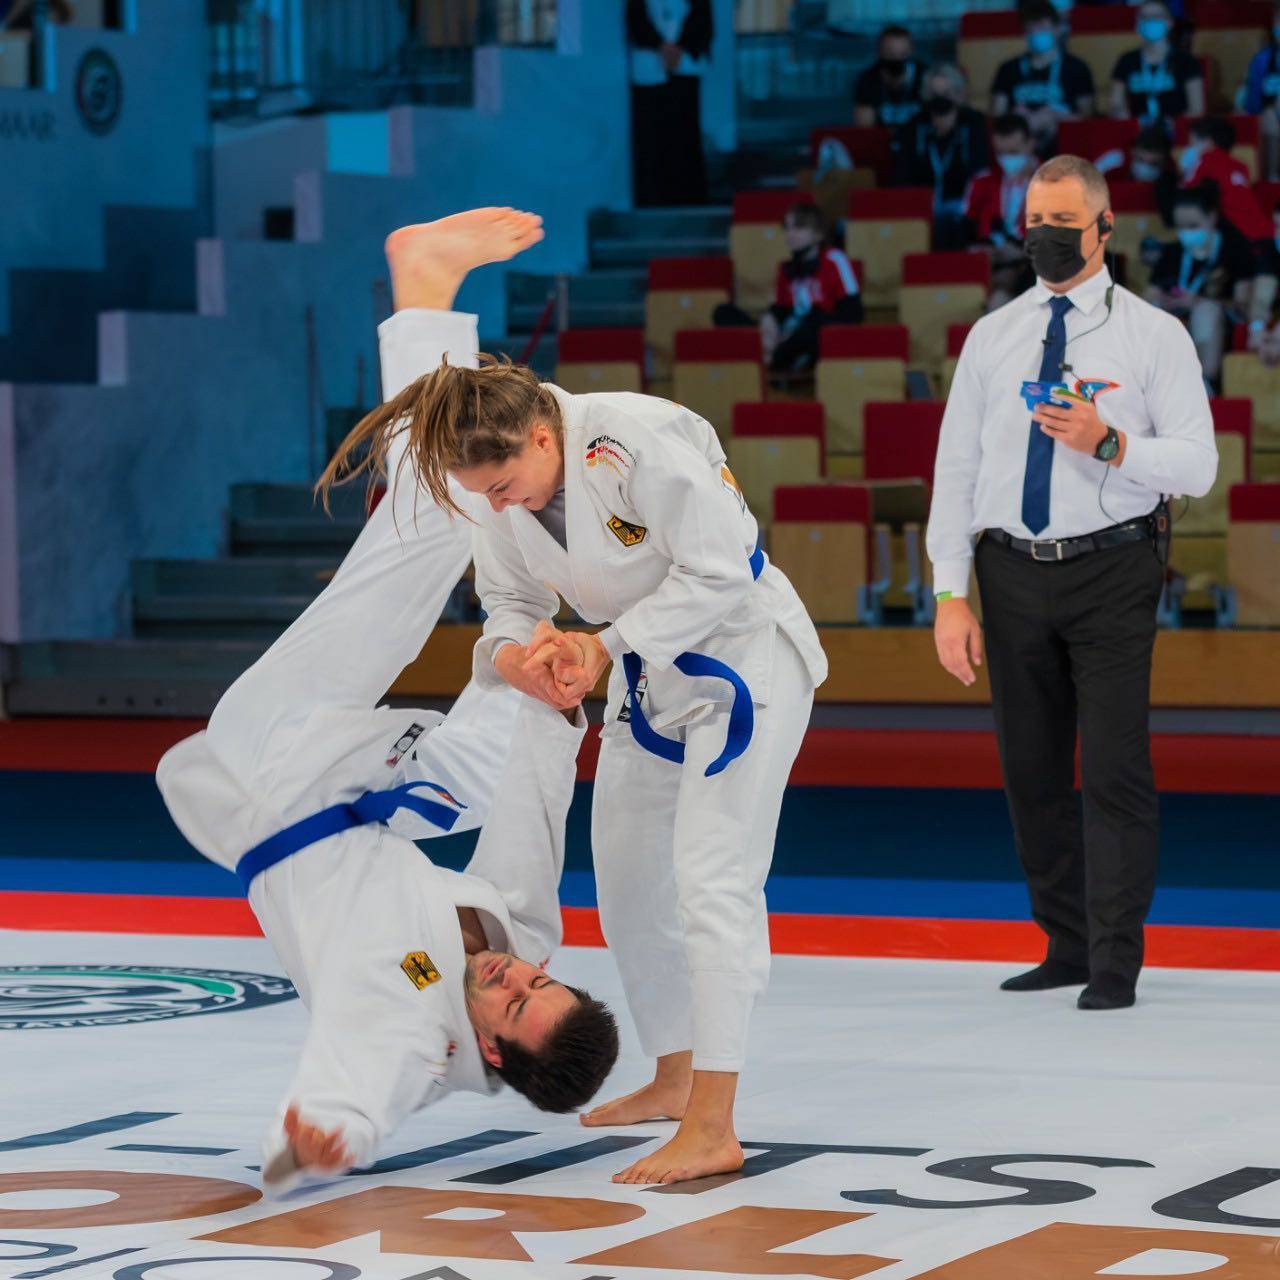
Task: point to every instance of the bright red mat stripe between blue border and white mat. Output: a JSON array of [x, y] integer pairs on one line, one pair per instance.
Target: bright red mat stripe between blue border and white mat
[[1168, 947]]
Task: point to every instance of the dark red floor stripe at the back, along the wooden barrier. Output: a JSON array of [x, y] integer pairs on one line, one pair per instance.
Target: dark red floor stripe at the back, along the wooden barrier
[[830, 757]]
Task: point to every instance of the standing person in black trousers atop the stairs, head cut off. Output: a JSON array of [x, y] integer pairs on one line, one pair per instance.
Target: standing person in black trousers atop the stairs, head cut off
[[670, 45]]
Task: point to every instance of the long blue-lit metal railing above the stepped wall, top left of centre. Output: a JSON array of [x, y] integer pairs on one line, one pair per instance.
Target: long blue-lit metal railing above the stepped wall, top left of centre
[[272, 57]]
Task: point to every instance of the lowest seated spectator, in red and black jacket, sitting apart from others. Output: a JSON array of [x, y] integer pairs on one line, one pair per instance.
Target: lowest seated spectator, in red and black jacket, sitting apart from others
[[816, 286]]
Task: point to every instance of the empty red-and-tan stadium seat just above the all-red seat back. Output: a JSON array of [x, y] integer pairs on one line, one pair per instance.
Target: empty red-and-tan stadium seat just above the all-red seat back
[[858, 364]]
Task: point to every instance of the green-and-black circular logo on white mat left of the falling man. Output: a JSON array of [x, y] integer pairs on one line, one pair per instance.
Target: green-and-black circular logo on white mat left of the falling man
[[44, 996]]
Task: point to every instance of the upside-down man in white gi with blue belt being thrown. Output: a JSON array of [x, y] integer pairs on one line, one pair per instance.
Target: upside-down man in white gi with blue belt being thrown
[[419, 981]]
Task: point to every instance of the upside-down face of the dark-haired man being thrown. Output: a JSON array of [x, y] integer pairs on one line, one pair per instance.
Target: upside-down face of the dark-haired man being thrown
[[514, 1000]]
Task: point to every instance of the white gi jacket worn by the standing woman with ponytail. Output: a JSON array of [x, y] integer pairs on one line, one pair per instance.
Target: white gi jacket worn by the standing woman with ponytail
[[660, 545]]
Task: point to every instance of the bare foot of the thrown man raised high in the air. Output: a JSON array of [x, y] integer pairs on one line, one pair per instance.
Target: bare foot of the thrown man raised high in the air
[[429, 262]]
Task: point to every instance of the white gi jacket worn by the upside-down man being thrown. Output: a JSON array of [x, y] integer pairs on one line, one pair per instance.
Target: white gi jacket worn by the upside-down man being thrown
[[367, 927]]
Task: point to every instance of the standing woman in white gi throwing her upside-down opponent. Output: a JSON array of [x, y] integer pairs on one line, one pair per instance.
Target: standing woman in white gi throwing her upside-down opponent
[[624, 506]]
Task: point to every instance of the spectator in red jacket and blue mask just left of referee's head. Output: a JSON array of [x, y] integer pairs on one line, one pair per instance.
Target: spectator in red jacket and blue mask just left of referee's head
[[995, 209]]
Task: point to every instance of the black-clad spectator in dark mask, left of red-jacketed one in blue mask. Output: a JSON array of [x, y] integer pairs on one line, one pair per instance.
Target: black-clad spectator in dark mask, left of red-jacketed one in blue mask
[[945, 148]]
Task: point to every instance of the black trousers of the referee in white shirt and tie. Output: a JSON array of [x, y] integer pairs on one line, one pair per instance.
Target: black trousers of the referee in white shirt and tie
[[1069, 651]]
